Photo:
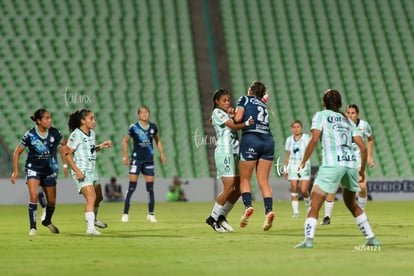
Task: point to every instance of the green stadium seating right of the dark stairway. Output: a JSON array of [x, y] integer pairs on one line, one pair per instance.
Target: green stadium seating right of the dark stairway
[[301, 48]]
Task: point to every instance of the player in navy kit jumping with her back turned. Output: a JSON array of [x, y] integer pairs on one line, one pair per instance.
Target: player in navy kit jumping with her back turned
[[256, 151]]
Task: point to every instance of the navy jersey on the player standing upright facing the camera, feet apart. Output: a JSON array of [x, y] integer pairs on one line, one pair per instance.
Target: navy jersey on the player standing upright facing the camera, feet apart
[[143, 149]]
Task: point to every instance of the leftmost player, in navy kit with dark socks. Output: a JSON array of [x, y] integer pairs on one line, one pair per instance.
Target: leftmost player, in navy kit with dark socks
[[42, 141]]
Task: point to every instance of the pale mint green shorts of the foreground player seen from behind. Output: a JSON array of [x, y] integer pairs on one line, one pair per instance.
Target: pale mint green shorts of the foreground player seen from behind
[[329, 178]]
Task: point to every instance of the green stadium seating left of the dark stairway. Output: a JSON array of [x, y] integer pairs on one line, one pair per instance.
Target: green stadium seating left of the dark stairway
[[110, 57]]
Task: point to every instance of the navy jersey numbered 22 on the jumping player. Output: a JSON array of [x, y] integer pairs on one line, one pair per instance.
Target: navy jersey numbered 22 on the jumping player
[[258, 111]]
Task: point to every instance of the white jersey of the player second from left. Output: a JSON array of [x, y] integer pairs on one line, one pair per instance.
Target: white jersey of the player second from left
[[84, 149]]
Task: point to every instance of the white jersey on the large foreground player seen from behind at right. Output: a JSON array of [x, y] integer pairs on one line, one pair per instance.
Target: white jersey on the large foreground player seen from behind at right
[[336, 138]]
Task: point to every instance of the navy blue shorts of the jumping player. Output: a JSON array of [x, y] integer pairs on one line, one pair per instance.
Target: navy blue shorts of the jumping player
[[255, 146]]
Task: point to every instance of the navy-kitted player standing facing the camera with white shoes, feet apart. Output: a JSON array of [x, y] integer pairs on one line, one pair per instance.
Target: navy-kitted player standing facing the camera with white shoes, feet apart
[[142, 159]]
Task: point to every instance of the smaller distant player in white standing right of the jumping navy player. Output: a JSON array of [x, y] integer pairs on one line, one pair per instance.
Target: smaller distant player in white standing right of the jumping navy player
[[295, 148]]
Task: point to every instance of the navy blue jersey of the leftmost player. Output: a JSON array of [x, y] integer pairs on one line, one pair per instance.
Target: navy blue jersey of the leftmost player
[[42, 150]]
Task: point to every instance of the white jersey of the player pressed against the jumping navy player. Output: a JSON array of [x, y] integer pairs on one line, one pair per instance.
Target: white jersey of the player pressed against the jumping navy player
[[227, 141]]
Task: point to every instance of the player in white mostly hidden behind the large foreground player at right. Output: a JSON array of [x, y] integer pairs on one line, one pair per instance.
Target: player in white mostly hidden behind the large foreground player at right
[[352, 112]]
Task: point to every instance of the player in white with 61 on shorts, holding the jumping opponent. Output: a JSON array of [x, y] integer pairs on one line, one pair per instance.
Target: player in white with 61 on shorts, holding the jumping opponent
[[226, 157]]
